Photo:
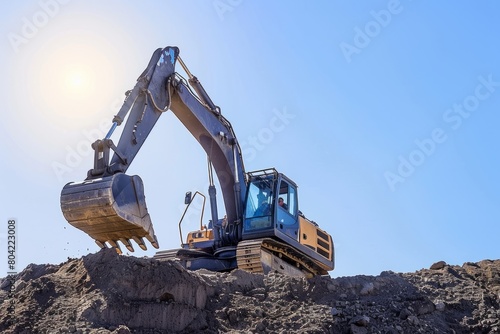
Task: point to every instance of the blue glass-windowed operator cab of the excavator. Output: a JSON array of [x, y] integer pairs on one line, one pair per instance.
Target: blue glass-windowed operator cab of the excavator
[[271, 205]]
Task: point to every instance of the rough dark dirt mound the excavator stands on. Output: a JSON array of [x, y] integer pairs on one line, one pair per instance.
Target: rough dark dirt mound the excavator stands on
[[107, 293]]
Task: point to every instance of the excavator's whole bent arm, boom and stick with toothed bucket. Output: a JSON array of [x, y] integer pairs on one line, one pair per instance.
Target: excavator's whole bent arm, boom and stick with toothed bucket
[[110, 205]]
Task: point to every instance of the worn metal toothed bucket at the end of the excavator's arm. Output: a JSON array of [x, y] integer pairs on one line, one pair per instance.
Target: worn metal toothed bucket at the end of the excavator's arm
[[110, 209]]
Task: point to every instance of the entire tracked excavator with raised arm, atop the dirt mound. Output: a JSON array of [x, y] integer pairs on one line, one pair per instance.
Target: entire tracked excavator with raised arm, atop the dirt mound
[[262, 230]]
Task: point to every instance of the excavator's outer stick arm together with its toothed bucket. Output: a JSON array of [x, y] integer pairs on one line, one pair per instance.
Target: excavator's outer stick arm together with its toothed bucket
[[109, 205]]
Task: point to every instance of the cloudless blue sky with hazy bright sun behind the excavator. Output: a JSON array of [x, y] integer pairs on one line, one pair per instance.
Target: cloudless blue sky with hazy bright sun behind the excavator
[[388, 110]]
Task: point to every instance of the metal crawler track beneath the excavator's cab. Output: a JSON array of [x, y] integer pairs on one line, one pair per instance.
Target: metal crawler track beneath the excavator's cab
[[265, 255]]
